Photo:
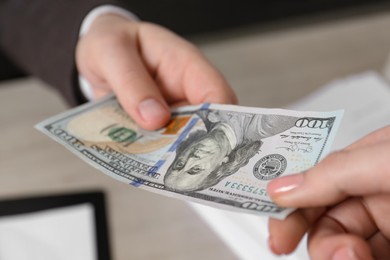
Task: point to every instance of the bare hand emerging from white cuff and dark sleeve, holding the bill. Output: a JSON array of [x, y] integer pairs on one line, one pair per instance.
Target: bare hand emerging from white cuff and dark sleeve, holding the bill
[[148, 68]]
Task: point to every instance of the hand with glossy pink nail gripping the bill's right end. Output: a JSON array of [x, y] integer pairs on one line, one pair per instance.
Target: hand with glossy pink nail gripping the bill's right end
[[344, 203]]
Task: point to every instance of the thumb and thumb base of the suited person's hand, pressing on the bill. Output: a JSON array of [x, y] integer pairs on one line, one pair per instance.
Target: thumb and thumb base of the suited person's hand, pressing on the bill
[[116, 63]]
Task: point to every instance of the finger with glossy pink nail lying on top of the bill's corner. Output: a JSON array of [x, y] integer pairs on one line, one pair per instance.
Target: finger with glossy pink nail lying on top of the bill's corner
[[347, 173]]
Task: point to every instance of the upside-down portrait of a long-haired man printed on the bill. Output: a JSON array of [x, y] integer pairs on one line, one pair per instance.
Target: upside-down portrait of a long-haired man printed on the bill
[[230, 140]]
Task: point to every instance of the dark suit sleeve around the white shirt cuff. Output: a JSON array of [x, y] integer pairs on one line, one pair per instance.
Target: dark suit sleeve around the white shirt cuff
[[40, 36]]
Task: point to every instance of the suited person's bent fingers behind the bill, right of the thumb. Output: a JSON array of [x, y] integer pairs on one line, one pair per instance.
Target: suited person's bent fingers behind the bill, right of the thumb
[[181, 70]]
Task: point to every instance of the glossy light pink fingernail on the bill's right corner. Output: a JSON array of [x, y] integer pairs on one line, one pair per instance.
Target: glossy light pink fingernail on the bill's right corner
[[284, 184]]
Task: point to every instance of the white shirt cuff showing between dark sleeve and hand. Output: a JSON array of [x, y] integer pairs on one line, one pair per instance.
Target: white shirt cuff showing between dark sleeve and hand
[[85, 86]]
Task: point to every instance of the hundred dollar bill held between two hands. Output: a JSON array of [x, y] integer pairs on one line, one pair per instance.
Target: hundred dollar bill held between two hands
[[219, 155]]
